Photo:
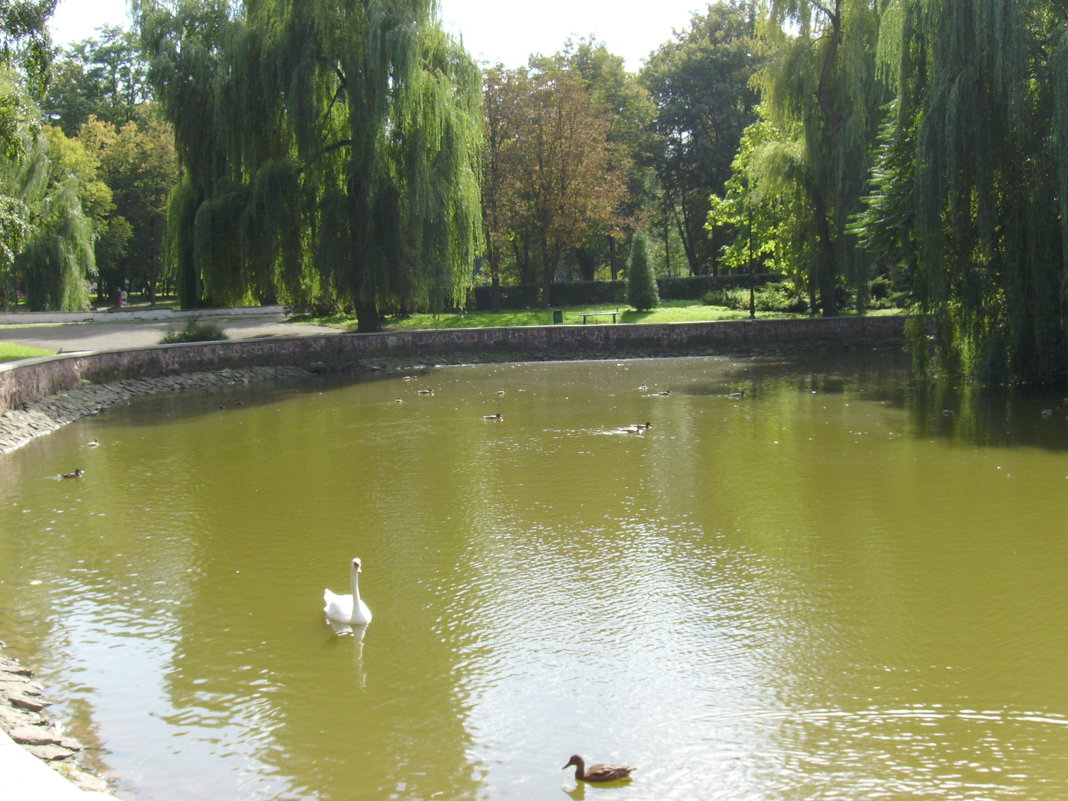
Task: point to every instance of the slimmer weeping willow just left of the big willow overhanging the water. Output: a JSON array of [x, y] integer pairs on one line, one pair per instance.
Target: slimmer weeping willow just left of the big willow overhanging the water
[[820, 91]]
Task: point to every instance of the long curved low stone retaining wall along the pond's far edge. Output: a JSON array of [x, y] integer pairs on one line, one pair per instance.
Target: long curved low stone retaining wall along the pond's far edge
[[22, 383]]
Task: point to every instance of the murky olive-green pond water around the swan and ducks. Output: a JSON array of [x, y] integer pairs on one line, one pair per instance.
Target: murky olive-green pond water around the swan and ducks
[[805, 580]]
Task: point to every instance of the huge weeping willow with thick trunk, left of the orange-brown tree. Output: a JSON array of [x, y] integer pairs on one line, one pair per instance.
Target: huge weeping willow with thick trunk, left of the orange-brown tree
[[331, 152]]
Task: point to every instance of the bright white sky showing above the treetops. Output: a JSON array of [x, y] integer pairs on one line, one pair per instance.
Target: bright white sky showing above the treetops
[[493, 30]]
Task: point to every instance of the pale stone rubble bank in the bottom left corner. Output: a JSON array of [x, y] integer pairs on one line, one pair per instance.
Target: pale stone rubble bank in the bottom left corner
[[22, 706]]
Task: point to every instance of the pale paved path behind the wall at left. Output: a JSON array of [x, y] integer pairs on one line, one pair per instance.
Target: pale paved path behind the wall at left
[[101, 333]]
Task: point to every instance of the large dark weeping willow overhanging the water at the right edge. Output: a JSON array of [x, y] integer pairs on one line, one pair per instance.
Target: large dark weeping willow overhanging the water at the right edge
[[971, 186]]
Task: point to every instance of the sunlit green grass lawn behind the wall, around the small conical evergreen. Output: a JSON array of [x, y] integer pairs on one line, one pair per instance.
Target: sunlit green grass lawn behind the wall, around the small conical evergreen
[[670, 311]]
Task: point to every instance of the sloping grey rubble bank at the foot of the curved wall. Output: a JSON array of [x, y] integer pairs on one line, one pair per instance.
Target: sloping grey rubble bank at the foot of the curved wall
[[38, 418]]
